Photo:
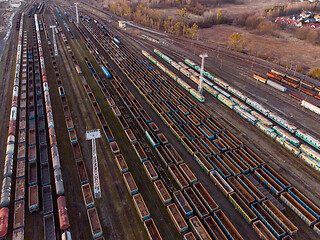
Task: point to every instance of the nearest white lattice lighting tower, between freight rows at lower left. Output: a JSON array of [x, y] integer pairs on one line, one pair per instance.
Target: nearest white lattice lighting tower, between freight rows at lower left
[[93, 135]]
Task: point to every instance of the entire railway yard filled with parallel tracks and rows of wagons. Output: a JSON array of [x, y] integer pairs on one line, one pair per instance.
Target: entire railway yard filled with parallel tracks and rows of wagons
[[240, 161]]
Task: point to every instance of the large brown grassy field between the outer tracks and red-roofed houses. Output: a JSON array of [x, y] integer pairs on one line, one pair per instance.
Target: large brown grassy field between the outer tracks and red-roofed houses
[[286, 49]]
